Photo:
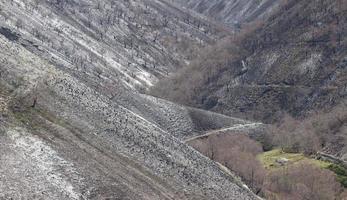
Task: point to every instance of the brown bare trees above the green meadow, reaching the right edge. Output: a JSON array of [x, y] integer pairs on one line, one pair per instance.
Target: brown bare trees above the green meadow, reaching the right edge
[[320, 131]]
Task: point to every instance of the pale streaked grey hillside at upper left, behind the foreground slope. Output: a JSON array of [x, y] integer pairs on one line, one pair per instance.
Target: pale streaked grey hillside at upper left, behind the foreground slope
[[127, 35]]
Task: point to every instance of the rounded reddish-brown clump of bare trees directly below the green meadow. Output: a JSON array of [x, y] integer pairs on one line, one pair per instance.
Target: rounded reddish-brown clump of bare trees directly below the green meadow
[[300, 182]]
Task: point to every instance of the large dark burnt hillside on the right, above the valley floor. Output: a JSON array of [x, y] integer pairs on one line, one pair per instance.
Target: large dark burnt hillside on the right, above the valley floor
[[294, 62]]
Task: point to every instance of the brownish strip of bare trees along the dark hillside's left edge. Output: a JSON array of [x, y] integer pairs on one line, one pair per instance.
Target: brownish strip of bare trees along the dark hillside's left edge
[[186, 84]]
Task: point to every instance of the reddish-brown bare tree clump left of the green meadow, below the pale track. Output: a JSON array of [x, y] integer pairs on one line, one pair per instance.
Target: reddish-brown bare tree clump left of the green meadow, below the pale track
[[238, 153]]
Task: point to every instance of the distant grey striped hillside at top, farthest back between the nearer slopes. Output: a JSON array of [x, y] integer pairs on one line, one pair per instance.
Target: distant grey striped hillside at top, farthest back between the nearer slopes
[[233, 13]]
